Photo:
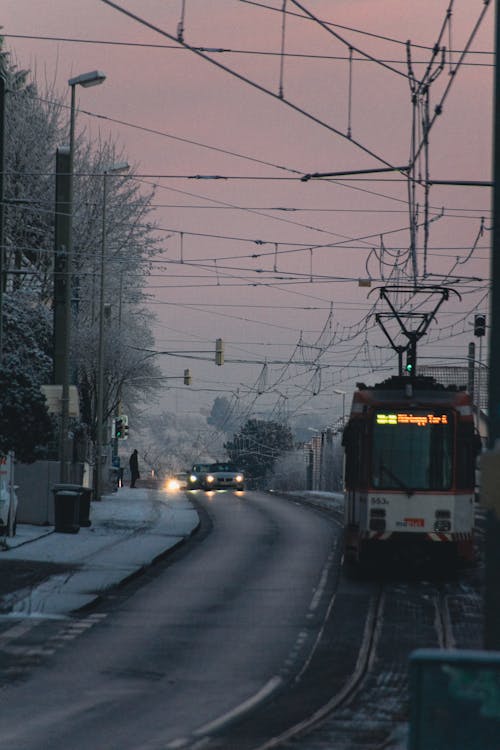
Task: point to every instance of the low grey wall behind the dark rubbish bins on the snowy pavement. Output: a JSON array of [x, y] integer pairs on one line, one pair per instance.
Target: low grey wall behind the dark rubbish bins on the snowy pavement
[[35, 497]]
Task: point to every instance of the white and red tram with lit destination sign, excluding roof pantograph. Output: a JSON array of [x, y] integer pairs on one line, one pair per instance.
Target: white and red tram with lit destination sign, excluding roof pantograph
[[410, 452]]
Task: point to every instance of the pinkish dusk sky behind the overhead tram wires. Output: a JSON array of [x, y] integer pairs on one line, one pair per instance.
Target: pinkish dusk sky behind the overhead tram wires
[[264, 260]]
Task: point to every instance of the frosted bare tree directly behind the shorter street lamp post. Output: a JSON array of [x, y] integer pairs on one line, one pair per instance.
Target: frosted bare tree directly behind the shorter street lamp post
[[121, 246]]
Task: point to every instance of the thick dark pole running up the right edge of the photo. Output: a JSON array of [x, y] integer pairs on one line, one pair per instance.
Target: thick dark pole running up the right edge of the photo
[[492, 553]]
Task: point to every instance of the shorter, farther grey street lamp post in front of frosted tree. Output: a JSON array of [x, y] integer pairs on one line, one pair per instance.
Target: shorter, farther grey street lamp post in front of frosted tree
[[114, 169]]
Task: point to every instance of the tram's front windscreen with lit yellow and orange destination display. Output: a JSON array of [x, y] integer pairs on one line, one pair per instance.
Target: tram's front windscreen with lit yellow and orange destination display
[[412, 451]]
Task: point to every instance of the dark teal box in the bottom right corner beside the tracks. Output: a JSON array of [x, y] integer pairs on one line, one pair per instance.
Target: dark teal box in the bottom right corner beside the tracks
[[455, 700]]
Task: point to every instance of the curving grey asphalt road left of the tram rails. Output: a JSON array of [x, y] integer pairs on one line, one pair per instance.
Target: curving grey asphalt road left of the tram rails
[[199, 640]]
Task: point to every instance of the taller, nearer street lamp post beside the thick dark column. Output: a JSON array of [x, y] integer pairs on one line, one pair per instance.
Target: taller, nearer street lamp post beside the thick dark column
[[94, 78]]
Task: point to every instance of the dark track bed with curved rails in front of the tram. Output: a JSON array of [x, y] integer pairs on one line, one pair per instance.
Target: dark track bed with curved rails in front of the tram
[[402, 615]]
